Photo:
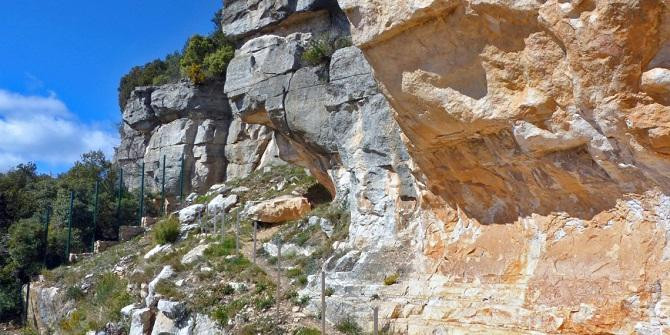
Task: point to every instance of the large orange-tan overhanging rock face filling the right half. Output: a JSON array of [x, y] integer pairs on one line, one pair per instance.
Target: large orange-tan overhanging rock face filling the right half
[[539, 136]]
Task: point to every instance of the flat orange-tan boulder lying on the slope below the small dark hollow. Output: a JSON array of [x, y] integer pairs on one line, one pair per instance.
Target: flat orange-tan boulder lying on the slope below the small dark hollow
[[281, 209]]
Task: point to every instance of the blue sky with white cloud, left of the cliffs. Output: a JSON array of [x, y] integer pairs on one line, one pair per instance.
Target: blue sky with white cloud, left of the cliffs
[[60, 65]]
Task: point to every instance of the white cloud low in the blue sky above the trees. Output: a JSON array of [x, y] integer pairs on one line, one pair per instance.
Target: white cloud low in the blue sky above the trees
[[42, 129]]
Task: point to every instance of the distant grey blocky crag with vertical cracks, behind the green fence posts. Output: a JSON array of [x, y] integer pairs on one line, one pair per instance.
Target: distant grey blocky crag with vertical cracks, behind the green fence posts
[[181, 120]]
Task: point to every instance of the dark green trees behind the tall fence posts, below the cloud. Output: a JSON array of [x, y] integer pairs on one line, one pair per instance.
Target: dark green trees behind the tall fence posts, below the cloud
[[25, 197]]
